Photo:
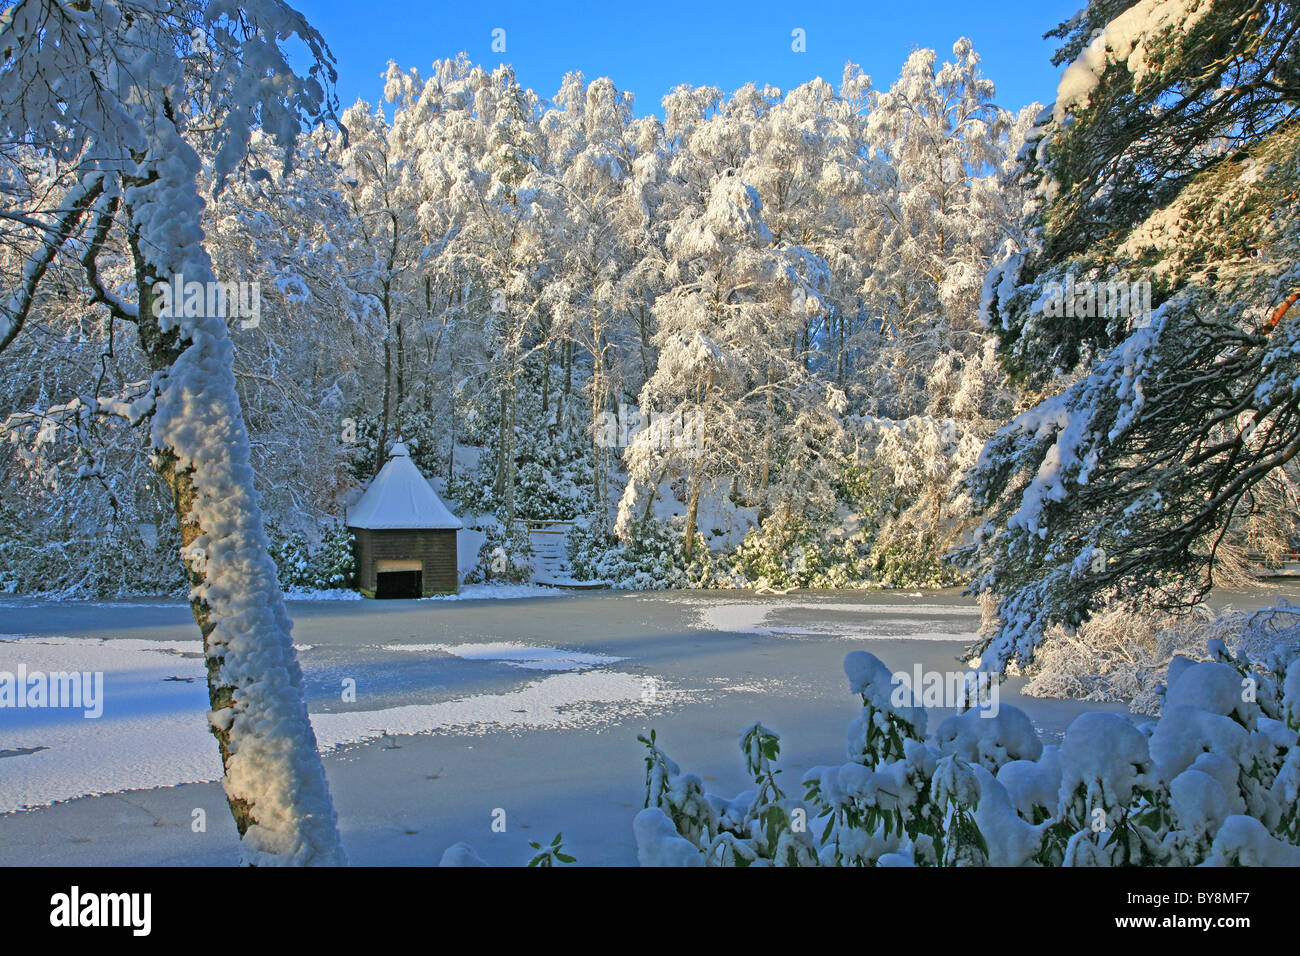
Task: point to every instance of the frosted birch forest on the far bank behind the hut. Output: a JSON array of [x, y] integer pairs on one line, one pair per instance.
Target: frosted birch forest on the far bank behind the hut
[[785, 285]]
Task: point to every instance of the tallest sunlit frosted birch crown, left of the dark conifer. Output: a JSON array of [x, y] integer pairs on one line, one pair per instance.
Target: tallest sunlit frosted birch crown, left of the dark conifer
[[939, 142]]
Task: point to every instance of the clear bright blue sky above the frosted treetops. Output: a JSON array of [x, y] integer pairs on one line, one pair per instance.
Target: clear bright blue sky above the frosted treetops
[[652, 47]]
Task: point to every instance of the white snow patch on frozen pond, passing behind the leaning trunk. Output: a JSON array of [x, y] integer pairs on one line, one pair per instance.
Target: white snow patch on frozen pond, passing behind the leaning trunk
[[154, 732]]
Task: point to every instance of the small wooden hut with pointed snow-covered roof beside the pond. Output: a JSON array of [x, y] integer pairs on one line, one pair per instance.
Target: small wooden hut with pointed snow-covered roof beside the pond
[[406, 538]]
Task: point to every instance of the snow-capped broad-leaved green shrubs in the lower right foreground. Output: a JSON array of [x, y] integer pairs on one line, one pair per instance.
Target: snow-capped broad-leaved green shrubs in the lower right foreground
[[1215, 781]]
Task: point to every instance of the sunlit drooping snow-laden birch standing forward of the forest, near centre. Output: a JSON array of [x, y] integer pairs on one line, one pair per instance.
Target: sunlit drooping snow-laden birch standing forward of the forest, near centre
[[725, 340]]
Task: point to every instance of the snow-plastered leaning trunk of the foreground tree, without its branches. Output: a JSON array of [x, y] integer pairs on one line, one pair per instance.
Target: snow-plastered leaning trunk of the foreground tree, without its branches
[[275, 782]]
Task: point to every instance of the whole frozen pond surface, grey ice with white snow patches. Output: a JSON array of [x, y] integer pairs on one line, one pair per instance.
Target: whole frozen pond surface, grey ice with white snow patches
[[432, 715]]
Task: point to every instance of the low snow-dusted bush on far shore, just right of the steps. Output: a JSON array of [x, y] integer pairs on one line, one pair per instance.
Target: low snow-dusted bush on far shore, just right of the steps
[[653, 557]]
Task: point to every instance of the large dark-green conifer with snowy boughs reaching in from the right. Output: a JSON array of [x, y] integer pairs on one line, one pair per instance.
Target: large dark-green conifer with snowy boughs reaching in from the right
[[1162, 436]]
